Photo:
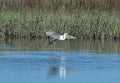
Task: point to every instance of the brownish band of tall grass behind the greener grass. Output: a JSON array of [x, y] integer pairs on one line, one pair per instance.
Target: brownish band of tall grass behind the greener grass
[[64, 5]]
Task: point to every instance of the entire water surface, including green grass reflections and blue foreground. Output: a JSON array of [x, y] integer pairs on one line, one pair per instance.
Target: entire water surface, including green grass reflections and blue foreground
[[79, 61]]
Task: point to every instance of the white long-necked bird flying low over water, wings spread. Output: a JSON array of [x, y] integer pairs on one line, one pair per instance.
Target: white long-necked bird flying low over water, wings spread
[[56, 36]]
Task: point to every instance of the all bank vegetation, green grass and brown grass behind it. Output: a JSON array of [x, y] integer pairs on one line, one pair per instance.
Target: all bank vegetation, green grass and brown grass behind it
[[85, 19]]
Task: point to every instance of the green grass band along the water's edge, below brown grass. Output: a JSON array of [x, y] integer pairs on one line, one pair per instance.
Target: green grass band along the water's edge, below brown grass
[[84, 25]]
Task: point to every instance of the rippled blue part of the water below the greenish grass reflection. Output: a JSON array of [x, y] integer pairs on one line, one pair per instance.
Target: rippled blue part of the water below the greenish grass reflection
[[59, 67]]
